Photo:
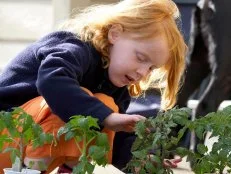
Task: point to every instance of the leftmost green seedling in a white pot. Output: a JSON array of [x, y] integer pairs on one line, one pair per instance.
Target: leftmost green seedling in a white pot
[[17, 130]]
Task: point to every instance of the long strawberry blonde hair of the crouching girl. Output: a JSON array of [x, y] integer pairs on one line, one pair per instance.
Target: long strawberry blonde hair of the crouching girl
[[147, 18]]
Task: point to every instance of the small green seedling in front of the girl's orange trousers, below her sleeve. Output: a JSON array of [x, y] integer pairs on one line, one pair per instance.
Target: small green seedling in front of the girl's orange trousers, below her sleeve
[[92, 144]]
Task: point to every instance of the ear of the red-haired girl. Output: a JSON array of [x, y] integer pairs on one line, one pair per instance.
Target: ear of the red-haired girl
[[114, 33]]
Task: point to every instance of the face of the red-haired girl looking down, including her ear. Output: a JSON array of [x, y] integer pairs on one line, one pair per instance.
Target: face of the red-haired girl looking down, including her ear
[[131, 60]]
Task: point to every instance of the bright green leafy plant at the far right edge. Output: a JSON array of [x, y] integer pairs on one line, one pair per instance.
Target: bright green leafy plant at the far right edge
[[203, 160]]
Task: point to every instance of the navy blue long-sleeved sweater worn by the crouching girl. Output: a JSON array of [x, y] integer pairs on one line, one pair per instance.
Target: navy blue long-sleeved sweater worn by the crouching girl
[[55, 67]]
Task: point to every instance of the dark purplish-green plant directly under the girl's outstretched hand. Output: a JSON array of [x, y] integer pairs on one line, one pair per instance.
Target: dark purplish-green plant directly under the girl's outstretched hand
[[155, 142]]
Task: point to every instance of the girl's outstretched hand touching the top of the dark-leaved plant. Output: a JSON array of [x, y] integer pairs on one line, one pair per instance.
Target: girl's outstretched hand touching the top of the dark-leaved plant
[[122, 122]]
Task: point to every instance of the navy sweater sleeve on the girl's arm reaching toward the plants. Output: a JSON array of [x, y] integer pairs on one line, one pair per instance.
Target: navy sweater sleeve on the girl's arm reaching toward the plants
[[63, 65]]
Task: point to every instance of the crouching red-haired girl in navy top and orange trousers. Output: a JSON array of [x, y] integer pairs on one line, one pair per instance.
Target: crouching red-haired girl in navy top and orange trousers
[[93, 66]]
